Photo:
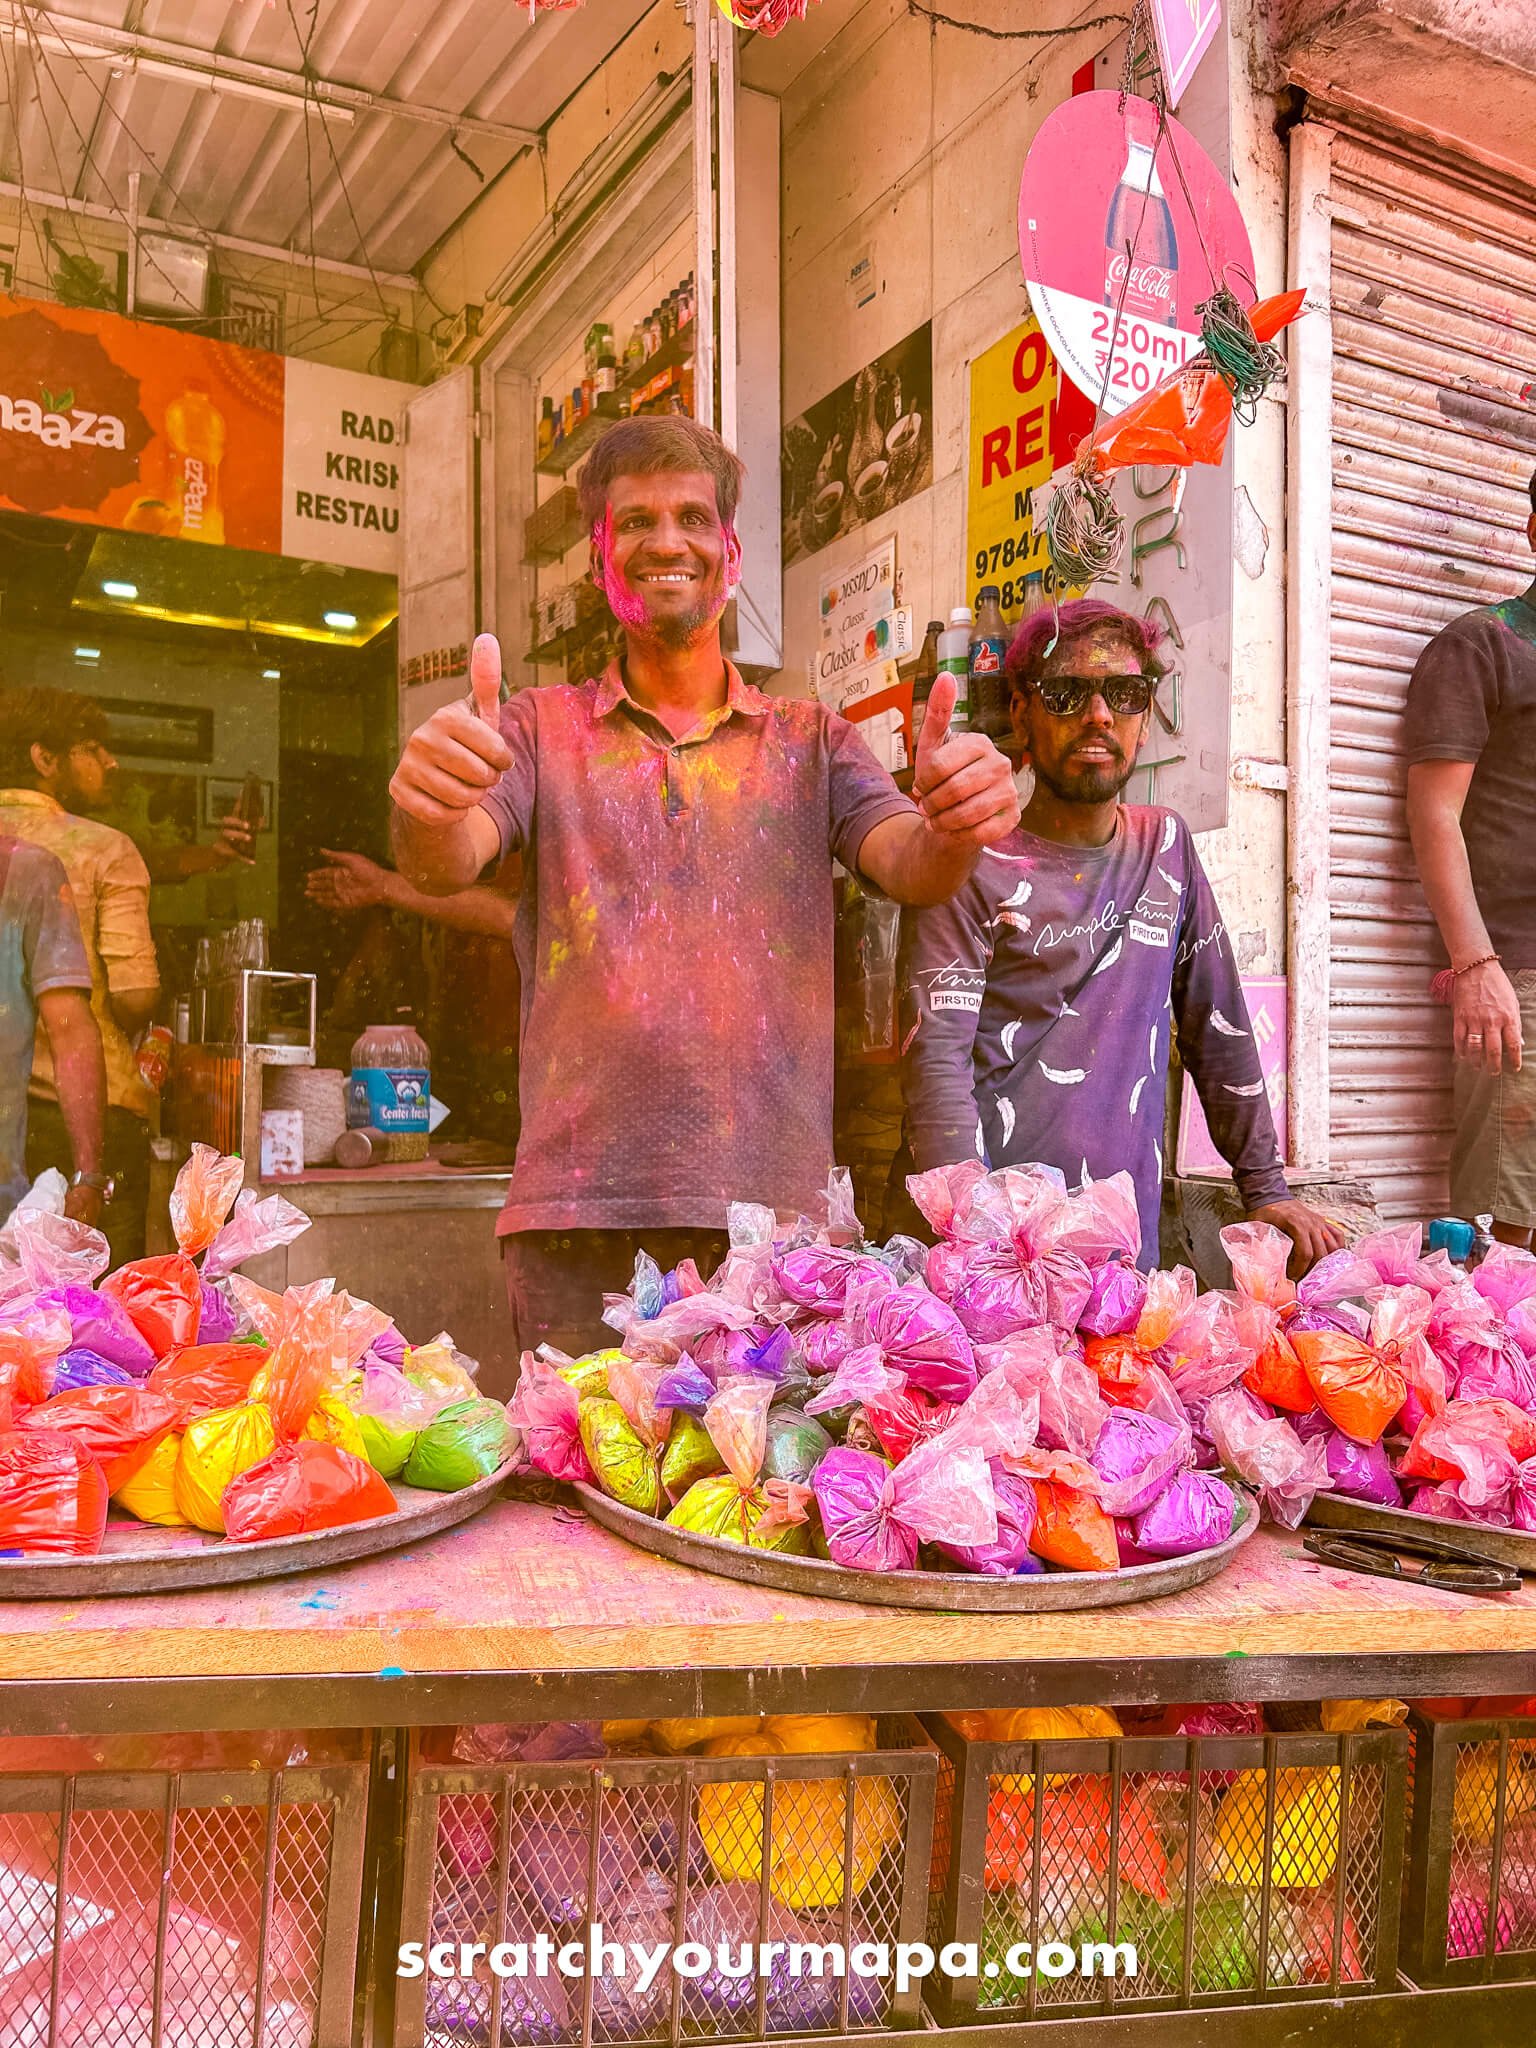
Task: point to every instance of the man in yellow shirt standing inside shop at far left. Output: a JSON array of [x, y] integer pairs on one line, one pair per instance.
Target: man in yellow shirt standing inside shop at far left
[[54, 773]]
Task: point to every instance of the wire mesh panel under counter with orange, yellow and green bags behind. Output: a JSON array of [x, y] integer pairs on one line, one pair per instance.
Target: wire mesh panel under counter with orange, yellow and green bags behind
[[1258, 1871]]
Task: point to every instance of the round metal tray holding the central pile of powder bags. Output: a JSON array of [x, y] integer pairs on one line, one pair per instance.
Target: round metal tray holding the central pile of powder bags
[[964, 1592]]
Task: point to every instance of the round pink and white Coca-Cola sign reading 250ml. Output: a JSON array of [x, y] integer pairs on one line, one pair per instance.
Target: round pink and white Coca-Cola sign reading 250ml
[[1123, 228]]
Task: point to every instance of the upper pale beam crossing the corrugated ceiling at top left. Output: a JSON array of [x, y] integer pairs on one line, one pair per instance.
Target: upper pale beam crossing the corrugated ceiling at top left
[[91, 42]]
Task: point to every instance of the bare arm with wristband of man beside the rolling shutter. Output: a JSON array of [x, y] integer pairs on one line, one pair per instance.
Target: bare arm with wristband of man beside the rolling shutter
[[1486, 1011]]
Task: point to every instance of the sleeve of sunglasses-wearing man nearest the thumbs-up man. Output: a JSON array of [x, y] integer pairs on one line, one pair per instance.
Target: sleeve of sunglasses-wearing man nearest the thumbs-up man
[[945, 959]]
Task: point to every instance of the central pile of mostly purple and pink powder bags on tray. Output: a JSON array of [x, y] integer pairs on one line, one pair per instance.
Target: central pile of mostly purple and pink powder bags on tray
[[1015, 1400]]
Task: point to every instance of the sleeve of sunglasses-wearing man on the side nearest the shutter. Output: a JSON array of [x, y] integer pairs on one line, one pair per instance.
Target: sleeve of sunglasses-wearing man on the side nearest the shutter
[[1215, 1039]]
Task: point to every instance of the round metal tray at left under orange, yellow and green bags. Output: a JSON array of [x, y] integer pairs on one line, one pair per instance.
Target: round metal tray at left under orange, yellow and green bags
[[140, 1558]]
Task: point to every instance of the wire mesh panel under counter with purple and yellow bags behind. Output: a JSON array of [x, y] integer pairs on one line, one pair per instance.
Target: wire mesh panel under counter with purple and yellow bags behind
[[771, 1871]]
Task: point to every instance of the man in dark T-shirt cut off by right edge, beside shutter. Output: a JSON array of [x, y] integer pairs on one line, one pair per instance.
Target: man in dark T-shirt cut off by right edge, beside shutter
[[1471, 812]]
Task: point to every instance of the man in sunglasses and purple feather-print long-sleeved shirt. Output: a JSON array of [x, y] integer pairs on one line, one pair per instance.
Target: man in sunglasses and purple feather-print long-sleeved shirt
[[1041, 1002]]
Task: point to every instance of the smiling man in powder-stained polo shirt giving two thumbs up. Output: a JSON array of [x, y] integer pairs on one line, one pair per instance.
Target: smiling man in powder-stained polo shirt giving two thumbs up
[[677, 921]]
